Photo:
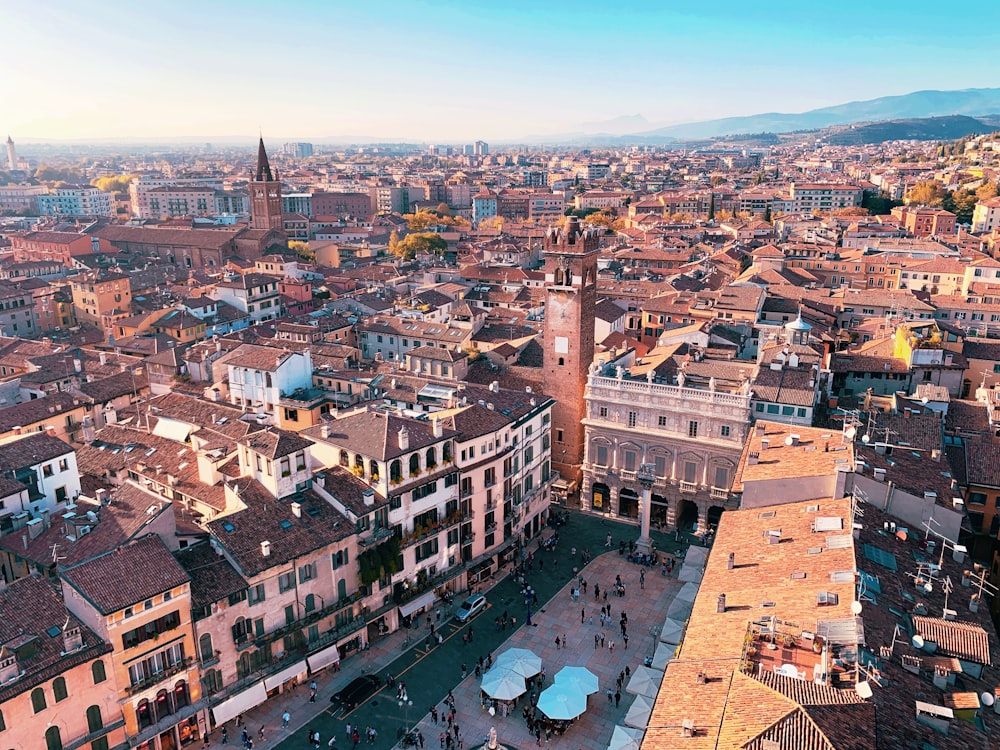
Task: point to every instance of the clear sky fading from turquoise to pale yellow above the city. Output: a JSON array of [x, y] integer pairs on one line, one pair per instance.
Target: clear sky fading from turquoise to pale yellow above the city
[[453, 72]]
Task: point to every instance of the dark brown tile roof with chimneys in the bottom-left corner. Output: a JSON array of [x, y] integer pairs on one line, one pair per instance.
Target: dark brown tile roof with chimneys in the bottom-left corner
[[32, 608]]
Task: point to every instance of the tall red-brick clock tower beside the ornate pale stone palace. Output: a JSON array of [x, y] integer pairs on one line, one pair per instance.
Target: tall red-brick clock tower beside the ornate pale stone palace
[[571, 297]]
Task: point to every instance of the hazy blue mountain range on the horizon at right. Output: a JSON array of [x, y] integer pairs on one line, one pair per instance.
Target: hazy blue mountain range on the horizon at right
[[918, 104]]
